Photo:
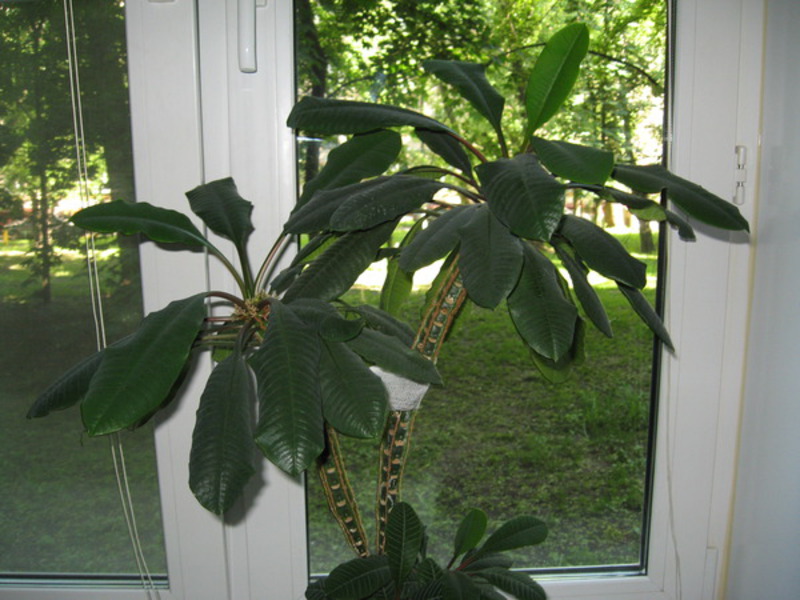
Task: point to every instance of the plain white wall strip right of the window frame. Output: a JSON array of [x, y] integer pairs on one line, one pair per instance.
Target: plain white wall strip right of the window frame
[[765, 551]]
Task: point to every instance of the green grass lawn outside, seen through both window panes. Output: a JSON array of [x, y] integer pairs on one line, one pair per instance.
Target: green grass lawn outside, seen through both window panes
[[496, 436]]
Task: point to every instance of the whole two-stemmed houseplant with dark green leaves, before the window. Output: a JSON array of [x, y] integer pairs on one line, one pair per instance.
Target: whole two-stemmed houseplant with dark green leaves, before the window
[[318, 367]]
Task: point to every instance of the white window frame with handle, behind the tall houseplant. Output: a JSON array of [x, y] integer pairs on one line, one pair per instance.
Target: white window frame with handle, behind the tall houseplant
[[197, 117]]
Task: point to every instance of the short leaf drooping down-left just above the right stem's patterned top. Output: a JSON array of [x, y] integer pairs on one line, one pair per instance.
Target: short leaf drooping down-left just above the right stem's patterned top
[[437, 240]]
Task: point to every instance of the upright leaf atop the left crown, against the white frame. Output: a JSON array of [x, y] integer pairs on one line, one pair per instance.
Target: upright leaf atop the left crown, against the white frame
[[223, 210]]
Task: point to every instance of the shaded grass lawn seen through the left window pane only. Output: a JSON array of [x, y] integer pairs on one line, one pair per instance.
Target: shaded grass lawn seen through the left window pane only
[[61, 511]]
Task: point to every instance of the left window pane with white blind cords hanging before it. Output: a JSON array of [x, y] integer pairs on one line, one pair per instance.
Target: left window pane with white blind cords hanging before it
[[61, 509]]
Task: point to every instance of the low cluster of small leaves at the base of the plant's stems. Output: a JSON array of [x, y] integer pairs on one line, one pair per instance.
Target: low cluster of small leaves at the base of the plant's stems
[[405, 572]]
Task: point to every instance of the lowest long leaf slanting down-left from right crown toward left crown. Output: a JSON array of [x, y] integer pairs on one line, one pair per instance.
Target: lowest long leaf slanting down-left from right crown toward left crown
[[334, 272]]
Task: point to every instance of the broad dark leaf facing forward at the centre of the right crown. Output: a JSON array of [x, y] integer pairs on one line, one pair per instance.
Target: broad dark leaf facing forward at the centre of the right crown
[[523, 196]]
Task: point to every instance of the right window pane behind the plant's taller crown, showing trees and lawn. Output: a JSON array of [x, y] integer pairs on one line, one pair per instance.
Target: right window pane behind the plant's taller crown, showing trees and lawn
[[498, 436]]
